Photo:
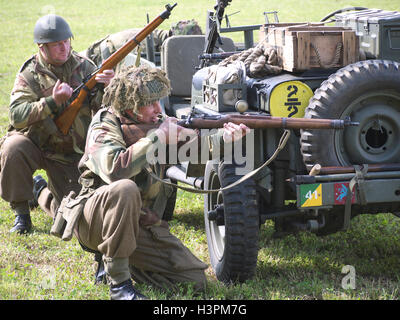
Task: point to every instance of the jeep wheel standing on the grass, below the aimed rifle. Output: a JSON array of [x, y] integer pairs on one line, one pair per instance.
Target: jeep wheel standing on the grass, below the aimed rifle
[[233, 236]]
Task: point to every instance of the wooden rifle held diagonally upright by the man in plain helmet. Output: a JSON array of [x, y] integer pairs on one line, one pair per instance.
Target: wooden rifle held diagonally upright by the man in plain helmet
[[66, 119]]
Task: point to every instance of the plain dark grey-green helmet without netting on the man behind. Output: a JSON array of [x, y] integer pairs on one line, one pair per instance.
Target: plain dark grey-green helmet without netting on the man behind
[[51, 28]]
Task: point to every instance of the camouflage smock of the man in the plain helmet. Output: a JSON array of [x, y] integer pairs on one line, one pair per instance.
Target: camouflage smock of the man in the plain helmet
[[33, 110]]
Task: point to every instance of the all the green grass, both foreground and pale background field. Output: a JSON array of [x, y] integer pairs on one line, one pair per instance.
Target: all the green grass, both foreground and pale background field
[[301, 266]]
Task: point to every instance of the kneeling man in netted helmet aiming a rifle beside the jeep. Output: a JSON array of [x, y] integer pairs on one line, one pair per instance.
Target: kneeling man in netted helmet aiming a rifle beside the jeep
[[119, 209]]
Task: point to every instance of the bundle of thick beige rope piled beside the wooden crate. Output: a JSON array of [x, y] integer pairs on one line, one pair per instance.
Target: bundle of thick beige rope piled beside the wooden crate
[[259, 61]]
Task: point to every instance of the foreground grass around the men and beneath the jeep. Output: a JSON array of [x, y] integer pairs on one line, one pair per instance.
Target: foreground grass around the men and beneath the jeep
[[302, 266]]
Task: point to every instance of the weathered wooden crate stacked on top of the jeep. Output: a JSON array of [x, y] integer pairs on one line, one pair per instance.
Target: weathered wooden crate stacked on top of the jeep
[[303, 47]]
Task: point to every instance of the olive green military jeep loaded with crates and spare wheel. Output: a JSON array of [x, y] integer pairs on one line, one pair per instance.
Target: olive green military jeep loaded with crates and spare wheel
[[321, 178]]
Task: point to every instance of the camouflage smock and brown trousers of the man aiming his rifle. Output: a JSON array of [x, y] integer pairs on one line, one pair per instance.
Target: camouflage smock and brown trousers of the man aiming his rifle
[[115, 193]]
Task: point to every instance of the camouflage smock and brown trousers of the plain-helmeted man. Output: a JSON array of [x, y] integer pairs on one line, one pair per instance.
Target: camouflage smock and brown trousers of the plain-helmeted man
[[34, 142]]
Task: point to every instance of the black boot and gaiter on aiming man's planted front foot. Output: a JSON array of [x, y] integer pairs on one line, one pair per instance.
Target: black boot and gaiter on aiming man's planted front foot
[[118, 274]]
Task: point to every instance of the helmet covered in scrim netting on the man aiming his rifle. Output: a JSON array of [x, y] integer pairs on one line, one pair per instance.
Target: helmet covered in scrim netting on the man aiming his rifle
[[135, 87]]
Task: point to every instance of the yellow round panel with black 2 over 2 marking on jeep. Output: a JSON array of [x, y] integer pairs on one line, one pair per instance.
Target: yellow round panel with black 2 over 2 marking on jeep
[[290, 99]]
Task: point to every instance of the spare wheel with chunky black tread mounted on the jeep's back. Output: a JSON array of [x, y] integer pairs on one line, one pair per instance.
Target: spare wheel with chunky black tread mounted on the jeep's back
[[367, 92]]
